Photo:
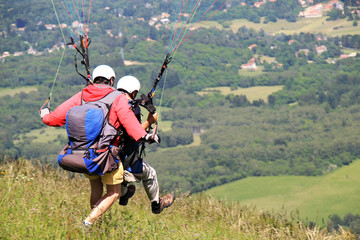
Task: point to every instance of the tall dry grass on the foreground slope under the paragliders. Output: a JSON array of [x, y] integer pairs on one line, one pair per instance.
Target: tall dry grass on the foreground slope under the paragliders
[[39, 202]]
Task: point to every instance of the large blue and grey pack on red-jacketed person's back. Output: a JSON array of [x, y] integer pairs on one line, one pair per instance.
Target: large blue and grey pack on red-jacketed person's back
[[90, 135]]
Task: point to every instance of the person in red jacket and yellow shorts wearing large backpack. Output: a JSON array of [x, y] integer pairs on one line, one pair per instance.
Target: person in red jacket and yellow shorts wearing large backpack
[[93, 118]]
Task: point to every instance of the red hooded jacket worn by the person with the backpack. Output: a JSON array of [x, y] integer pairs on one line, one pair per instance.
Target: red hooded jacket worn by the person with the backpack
[[120, 112]]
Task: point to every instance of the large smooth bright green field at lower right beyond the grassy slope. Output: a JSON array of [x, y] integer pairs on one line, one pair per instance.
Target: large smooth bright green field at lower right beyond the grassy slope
[[316, 198]]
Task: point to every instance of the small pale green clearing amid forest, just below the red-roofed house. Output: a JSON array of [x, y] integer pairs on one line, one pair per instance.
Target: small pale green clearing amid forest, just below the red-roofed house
[[251, 93]]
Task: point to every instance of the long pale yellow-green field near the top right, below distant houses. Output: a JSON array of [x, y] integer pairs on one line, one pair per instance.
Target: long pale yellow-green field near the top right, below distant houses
[[311, 25]]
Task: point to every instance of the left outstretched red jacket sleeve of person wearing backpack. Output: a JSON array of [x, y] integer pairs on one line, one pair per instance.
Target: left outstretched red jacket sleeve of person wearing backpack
[[57, 118]]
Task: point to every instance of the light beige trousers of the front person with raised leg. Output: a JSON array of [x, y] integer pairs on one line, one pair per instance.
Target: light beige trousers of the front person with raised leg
[[148, 178]]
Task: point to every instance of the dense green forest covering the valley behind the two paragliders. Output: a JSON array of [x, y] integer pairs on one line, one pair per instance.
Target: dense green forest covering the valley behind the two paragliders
[[308, 128]]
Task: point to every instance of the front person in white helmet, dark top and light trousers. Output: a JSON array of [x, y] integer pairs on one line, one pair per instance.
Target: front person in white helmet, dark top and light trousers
[[136, 169]]
